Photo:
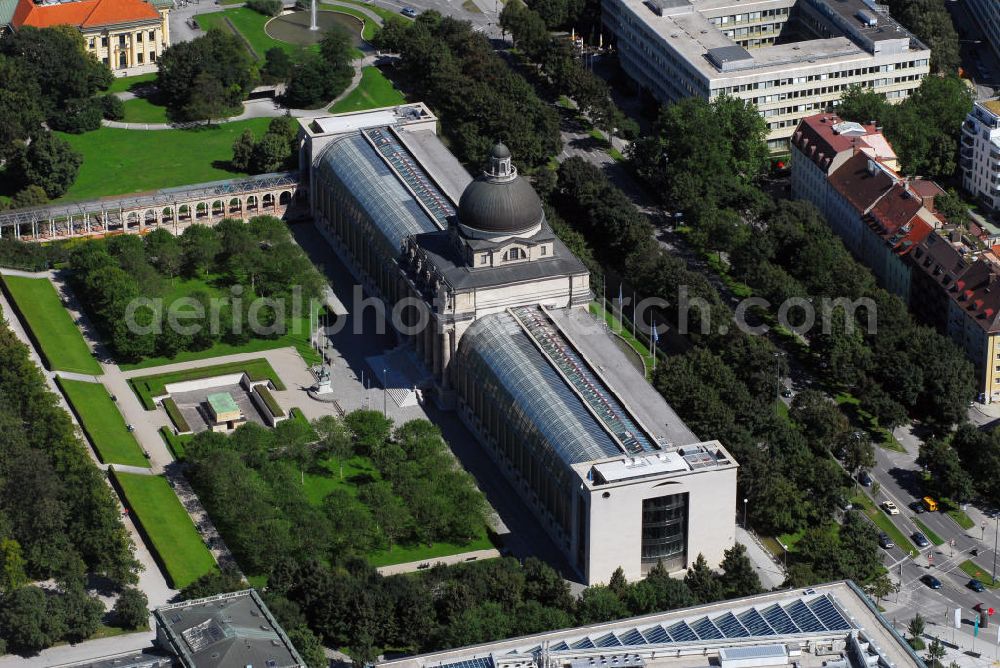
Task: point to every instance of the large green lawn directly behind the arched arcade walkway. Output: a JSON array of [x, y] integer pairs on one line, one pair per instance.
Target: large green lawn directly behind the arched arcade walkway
[[120, 162]]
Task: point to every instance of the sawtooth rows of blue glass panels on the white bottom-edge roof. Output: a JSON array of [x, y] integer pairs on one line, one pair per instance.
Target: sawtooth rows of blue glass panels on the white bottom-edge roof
[[800, 616]]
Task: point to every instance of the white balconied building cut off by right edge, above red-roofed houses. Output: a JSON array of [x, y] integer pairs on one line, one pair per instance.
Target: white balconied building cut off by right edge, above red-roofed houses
[[980, 153]]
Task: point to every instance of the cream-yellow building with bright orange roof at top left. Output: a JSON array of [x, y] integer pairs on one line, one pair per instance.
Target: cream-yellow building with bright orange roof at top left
[[126, 35]]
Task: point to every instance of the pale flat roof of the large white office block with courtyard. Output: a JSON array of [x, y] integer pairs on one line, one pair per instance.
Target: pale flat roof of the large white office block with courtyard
[[686, 27]]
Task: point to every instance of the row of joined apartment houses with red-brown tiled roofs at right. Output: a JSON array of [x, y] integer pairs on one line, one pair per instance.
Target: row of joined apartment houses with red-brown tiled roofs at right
[[947, 275]]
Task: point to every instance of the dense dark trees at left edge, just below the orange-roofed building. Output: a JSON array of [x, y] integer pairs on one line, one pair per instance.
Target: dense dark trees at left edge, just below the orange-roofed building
[[47, 80]]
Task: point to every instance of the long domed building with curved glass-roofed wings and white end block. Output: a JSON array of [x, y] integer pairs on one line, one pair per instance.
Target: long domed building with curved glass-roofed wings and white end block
[[611, 472]]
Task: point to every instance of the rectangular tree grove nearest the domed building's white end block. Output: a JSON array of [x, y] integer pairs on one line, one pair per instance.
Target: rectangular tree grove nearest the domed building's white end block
[[416, 494]]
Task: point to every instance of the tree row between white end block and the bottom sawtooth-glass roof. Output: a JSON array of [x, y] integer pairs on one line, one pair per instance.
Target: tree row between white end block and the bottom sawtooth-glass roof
[[477, 602]]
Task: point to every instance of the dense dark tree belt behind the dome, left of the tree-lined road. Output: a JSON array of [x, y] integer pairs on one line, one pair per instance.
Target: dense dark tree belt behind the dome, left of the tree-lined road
[[478, 97]]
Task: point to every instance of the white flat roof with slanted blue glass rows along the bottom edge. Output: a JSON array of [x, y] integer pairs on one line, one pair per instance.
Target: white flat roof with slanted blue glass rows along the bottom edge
[[808, 626]]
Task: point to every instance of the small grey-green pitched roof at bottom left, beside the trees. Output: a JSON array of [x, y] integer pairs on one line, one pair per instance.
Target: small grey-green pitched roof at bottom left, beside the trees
[[227, 630]]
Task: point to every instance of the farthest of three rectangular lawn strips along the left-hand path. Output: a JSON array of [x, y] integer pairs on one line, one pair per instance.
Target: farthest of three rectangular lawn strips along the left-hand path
[[60, 342]]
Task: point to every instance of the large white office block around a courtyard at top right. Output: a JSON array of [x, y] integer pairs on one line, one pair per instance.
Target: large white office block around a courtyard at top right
[[788, 57]]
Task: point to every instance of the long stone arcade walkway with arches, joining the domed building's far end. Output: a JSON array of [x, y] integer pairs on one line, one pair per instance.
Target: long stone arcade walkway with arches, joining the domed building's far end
[[173, 208]]
